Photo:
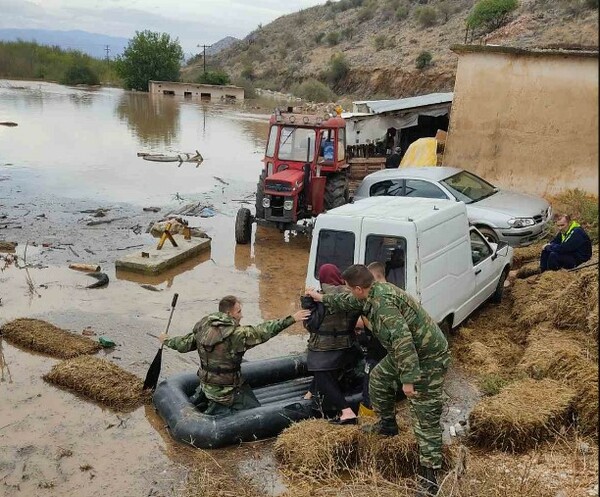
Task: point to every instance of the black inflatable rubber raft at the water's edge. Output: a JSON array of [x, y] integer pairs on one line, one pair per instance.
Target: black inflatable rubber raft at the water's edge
[[279, 384]]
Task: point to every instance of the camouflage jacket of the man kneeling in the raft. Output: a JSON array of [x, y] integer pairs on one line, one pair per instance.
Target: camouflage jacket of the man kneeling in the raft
[[236, 340]]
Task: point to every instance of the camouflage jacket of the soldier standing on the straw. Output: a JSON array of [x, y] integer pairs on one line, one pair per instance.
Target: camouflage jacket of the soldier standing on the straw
[[403, 327]]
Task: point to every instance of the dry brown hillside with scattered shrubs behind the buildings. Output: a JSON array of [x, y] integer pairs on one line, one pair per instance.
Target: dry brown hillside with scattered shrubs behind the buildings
[[381, 40]]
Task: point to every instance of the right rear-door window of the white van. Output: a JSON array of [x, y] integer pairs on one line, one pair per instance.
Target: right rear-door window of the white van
[[391, 252]]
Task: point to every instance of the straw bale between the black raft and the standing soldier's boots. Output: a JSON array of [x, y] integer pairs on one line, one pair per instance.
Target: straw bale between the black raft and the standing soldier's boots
[[316, 447]]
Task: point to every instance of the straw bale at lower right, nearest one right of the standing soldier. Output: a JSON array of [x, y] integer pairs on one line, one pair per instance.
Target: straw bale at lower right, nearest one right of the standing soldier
[[520, 416]]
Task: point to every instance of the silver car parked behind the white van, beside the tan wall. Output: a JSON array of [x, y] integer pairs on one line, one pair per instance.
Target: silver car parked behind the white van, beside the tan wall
[[501, 215]]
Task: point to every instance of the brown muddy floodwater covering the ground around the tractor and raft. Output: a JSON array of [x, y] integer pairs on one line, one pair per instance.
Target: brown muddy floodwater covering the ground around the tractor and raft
[[74, 150]]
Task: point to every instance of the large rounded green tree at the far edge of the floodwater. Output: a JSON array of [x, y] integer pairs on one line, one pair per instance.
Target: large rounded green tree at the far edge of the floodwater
[[149, 56]]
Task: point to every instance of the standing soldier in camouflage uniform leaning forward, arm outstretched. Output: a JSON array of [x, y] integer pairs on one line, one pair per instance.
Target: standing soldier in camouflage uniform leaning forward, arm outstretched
[[417, 360]]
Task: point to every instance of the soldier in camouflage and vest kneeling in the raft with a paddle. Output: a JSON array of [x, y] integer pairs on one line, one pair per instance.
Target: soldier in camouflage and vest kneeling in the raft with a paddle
[[221, 343]]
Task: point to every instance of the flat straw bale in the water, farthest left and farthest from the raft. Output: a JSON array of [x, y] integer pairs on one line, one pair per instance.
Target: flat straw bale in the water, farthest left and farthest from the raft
[[41, 336]]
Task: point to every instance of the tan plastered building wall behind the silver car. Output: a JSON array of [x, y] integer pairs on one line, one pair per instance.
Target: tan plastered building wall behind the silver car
[[525, 122]]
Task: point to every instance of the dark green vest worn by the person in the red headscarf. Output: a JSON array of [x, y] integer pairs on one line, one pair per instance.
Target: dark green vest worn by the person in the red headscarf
[[337, 329]]
